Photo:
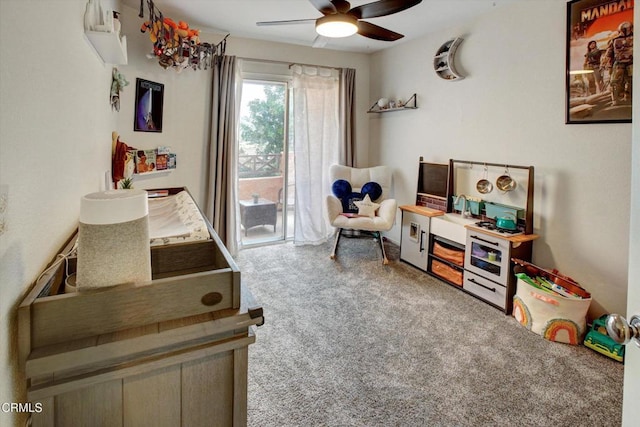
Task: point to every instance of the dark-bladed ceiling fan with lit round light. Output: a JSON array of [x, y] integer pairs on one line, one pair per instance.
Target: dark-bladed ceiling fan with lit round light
[[341, 20]]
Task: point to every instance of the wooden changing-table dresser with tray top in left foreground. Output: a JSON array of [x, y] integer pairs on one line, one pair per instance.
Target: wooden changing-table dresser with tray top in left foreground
[[169, 352]]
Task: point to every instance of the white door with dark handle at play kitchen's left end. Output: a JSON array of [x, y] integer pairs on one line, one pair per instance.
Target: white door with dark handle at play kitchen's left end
[[414, 243]]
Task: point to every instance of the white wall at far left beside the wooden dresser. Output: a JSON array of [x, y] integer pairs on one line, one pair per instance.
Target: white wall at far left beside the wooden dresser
[[55, 144]]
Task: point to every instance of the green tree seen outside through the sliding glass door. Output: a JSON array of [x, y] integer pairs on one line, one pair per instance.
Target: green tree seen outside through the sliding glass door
[[264, 128]]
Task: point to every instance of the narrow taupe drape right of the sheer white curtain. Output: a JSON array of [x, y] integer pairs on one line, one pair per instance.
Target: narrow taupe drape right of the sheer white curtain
[[347, 116]]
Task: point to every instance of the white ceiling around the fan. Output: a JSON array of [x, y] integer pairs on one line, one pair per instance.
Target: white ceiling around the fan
[[239, 17]]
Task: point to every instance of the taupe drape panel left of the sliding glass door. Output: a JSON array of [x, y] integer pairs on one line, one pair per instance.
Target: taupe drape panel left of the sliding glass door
[[221, 192]]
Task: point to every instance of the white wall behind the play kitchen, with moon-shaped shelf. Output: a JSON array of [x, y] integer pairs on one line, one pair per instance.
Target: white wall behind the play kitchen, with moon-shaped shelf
[[510, 109]]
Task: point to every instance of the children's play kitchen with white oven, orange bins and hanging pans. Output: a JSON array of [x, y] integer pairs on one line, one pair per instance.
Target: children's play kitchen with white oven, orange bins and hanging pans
[[470, 219]]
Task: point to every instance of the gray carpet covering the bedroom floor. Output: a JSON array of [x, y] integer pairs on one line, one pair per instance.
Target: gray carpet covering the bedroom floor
[[354, 343]]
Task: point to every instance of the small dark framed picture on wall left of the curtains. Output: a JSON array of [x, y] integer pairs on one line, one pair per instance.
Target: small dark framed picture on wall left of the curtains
[[148, 108]]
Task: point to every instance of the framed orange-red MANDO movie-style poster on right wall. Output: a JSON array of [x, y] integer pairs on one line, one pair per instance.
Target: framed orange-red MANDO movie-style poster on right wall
[[599, 61]]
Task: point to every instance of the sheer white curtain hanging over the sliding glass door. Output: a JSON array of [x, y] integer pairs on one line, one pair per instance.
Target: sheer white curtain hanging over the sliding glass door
[[316, 105]]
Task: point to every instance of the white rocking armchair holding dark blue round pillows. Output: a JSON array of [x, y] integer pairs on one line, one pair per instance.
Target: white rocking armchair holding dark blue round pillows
[[385, 214]]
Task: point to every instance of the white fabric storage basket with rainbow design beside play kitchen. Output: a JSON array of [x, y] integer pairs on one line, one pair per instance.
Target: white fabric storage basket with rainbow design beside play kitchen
[[554, 317]]
